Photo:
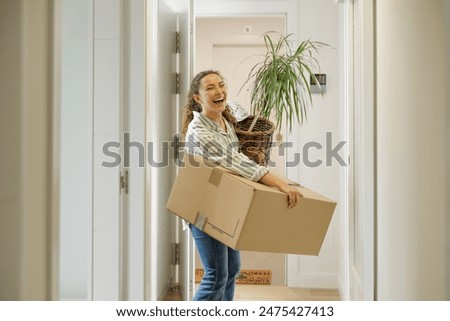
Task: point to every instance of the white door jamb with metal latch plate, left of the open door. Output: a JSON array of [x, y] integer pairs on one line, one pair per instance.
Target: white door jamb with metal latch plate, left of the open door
[[118, 240]]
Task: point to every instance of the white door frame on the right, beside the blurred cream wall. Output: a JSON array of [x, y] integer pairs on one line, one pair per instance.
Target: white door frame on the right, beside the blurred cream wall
[[359, 185]]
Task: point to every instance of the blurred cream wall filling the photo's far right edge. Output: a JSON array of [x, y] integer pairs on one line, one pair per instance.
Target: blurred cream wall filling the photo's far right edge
[[412, 149]]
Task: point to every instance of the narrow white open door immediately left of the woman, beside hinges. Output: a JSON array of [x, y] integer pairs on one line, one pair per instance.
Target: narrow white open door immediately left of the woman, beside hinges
[[161, 119]]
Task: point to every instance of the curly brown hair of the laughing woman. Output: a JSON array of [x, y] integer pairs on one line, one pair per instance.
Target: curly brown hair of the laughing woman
[[192, 105]]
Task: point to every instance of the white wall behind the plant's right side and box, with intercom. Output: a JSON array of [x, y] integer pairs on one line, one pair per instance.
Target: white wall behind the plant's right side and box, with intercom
[[318, 20]]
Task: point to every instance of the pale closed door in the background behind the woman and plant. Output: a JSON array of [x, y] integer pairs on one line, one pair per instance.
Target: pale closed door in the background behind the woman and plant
[[232, 45]]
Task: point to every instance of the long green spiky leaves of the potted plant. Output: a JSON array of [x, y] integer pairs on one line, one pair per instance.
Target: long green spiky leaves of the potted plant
[[280, 83]]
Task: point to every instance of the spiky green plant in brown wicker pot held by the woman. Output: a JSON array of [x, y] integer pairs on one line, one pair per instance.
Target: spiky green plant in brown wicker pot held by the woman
[[280, 88]]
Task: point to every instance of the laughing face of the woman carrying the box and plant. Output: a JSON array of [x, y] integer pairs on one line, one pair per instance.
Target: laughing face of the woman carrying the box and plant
[[212, 94]]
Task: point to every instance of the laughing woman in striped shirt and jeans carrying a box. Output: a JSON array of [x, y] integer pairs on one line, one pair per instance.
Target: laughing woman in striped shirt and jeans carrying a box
[[209, 132]]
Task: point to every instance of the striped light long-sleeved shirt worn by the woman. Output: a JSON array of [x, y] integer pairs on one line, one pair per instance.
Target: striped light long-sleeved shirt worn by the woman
[[205, 138]]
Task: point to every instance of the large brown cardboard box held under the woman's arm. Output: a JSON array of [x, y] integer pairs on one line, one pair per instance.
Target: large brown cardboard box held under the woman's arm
[[248, 215]]
